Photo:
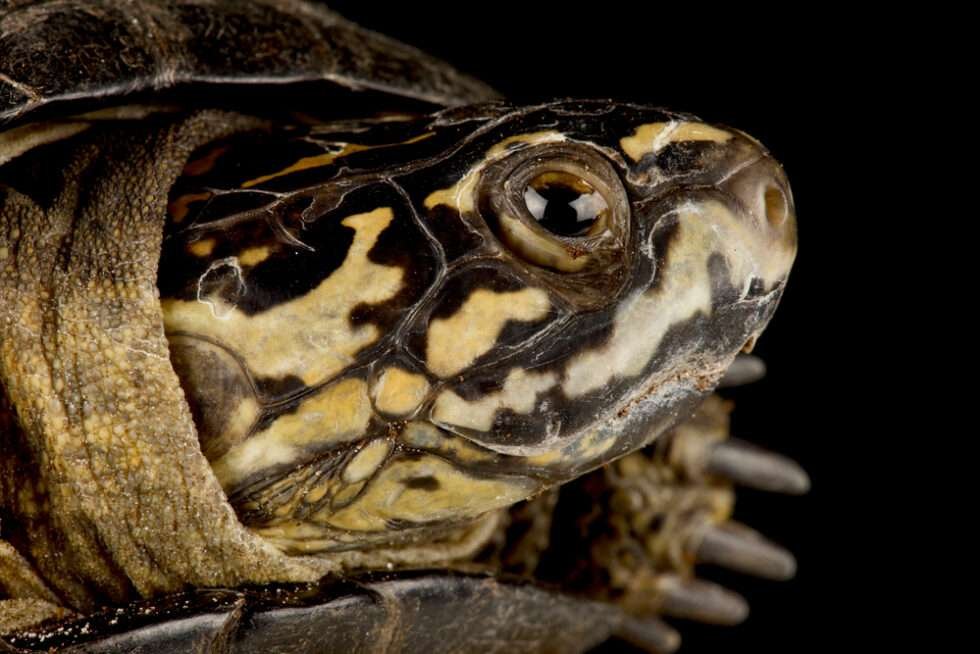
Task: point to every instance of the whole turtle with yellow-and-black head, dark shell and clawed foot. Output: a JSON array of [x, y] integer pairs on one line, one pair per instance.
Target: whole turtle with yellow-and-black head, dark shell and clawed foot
[[310, 342]]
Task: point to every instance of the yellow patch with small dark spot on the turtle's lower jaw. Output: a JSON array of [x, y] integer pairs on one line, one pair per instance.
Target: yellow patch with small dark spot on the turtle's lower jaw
[[447, 493]]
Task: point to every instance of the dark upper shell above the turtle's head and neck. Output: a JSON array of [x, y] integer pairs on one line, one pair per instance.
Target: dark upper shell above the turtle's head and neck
[[93, 52]]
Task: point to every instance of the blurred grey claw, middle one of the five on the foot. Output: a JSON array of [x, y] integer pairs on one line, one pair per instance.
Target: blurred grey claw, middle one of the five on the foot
[[739, 548]]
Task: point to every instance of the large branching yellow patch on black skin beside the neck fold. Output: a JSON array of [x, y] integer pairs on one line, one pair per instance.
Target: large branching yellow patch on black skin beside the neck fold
[[309, 336]]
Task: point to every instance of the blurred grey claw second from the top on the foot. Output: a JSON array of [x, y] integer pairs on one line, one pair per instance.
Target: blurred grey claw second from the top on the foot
[[752, 466]]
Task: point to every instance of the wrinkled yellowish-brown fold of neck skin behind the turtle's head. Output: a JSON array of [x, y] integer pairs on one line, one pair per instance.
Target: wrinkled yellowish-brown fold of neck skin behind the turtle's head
[[109, 491]]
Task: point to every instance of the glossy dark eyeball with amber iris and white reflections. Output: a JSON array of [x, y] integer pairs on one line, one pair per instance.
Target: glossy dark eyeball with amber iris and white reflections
[[563, 204]]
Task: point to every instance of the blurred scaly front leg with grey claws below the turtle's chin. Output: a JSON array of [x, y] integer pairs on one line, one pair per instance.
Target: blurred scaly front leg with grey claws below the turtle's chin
[[633, 532]]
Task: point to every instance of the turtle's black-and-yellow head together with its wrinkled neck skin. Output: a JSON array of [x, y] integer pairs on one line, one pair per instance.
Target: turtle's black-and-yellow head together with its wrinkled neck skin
[[532, 374]]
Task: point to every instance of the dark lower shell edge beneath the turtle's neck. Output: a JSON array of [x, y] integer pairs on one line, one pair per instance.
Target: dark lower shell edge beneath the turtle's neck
[[422, 611]]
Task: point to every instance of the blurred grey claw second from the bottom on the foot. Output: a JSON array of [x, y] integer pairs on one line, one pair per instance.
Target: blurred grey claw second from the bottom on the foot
[[695, 599]]
